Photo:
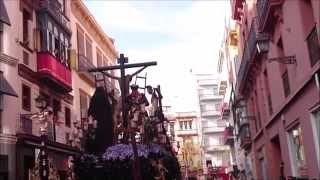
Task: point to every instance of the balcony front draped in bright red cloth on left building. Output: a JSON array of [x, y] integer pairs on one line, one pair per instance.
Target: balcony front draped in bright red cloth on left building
[[53, 72]]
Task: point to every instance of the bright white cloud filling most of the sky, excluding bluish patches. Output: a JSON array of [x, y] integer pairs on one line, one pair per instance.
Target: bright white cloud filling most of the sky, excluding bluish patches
[[198, 32]]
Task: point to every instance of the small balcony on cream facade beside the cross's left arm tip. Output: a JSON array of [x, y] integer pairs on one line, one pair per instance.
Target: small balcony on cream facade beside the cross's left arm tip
[[83, 66]]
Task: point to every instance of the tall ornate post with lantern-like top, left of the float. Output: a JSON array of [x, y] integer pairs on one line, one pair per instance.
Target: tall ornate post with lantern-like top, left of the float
[[42, 116]]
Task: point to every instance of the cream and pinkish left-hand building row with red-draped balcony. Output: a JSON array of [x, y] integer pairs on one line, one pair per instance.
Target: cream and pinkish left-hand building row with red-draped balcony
[[39, 58]]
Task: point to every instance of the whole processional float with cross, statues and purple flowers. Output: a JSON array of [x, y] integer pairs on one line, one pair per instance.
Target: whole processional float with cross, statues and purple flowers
[[123, 127]]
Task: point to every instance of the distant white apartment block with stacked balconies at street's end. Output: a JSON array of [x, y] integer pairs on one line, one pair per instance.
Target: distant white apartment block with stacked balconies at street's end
[[214, 152]]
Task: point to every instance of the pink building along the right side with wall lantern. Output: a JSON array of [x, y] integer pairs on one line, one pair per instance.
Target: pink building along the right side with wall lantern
[[277, 86]]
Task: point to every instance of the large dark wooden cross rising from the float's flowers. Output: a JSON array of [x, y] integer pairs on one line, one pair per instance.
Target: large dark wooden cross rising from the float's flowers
[[124, 82]]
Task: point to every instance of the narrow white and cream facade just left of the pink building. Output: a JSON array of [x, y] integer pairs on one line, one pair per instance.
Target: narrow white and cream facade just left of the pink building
[[228, 66]]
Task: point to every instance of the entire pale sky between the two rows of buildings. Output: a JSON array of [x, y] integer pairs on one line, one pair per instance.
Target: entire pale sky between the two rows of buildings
[[183, 36]]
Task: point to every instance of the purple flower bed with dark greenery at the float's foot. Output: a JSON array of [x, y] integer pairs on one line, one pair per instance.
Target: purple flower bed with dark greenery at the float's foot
[[117, 161]]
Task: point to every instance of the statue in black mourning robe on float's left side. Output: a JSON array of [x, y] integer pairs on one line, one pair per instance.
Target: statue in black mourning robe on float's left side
[[101, 112]]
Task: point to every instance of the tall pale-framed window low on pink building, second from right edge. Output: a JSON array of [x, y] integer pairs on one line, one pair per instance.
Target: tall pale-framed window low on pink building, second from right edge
[[297, 150]]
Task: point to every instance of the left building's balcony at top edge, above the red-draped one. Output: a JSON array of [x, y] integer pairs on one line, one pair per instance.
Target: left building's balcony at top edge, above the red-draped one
[[56, 11]]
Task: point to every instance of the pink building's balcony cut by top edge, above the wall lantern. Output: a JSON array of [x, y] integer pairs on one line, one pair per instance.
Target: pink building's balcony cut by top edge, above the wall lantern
[[266, 13]]
